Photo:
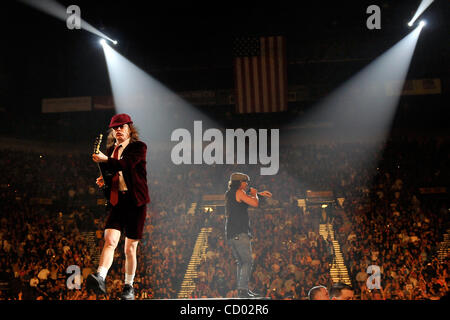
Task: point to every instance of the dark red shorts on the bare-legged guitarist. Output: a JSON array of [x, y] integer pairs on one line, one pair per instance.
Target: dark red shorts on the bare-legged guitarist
[[127, 217]]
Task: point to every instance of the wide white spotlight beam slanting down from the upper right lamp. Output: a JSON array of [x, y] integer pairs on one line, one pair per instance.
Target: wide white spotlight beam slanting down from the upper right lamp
[[364, 106]]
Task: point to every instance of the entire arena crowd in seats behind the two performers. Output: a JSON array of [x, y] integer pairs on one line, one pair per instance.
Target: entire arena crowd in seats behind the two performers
[[384, 217]]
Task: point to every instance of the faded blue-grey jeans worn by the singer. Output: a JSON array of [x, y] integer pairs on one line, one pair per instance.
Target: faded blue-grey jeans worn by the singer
[[241, 248]]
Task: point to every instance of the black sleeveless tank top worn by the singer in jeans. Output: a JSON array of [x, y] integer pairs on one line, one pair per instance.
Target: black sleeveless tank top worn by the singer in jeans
[[236, 216]]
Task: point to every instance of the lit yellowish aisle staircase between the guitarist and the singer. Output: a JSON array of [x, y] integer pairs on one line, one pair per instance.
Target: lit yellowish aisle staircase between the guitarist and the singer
[[199, 252]]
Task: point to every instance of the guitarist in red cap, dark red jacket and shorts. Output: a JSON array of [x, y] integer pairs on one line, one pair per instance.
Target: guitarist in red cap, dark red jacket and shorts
[[124, 173]]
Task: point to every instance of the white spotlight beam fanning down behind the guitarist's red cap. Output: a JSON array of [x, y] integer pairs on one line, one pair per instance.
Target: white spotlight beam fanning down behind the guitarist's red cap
[[156, 109]]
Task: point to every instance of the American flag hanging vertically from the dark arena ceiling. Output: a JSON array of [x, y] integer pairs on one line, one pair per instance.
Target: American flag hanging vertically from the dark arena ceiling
[[260, 74]]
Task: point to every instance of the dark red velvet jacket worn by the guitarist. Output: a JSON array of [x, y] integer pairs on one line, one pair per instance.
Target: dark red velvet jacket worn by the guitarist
[[133, 166]]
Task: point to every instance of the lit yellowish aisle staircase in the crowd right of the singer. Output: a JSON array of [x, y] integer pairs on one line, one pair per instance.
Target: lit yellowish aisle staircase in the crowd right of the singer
[[338, 270]]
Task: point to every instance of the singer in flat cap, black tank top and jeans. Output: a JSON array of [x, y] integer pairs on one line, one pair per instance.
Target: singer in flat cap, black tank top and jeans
[[237, 228]]
